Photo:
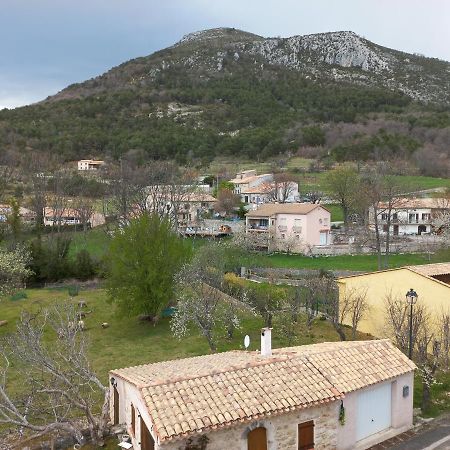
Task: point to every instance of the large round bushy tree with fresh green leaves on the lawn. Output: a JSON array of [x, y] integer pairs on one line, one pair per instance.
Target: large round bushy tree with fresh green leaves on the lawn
[[143, 260]]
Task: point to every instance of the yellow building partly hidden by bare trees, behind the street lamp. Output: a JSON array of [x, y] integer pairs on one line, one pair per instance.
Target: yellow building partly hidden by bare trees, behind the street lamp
[[430, 281]]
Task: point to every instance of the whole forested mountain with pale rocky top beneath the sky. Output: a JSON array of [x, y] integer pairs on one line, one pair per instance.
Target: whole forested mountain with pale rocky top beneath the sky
[[228, 92]]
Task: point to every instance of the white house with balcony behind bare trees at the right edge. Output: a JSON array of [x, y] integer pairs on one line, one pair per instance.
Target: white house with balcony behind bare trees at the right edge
[[412, 216]]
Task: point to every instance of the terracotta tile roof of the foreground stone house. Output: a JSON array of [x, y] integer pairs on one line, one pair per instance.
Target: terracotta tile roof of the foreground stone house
[[192, 395]]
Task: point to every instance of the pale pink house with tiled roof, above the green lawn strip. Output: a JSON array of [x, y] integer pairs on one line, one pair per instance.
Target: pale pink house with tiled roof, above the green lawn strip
[[298, 226]]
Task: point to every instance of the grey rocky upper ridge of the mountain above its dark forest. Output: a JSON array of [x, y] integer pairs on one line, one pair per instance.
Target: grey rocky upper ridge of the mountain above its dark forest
[[336, 56]]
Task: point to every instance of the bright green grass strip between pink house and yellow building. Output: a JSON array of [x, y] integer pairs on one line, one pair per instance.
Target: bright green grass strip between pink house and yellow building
[[362, 263]]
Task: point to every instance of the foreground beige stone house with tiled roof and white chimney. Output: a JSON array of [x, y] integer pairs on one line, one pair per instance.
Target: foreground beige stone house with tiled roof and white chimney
[[342, 395]]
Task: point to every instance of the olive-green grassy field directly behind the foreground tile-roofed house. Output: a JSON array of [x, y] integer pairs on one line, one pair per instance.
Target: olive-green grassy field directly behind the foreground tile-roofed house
[[129, 342]]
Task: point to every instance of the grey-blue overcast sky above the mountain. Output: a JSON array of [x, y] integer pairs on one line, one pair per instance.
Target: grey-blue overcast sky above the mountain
[[46, 45]]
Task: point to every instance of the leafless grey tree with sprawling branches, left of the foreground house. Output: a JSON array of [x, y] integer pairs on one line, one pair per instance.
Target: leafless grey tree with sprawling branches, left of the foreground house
[[58, 382]]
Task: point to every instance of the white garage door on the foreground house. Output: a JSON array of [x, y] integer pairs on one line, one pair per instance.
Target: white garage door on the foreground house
[[374, 410]]
